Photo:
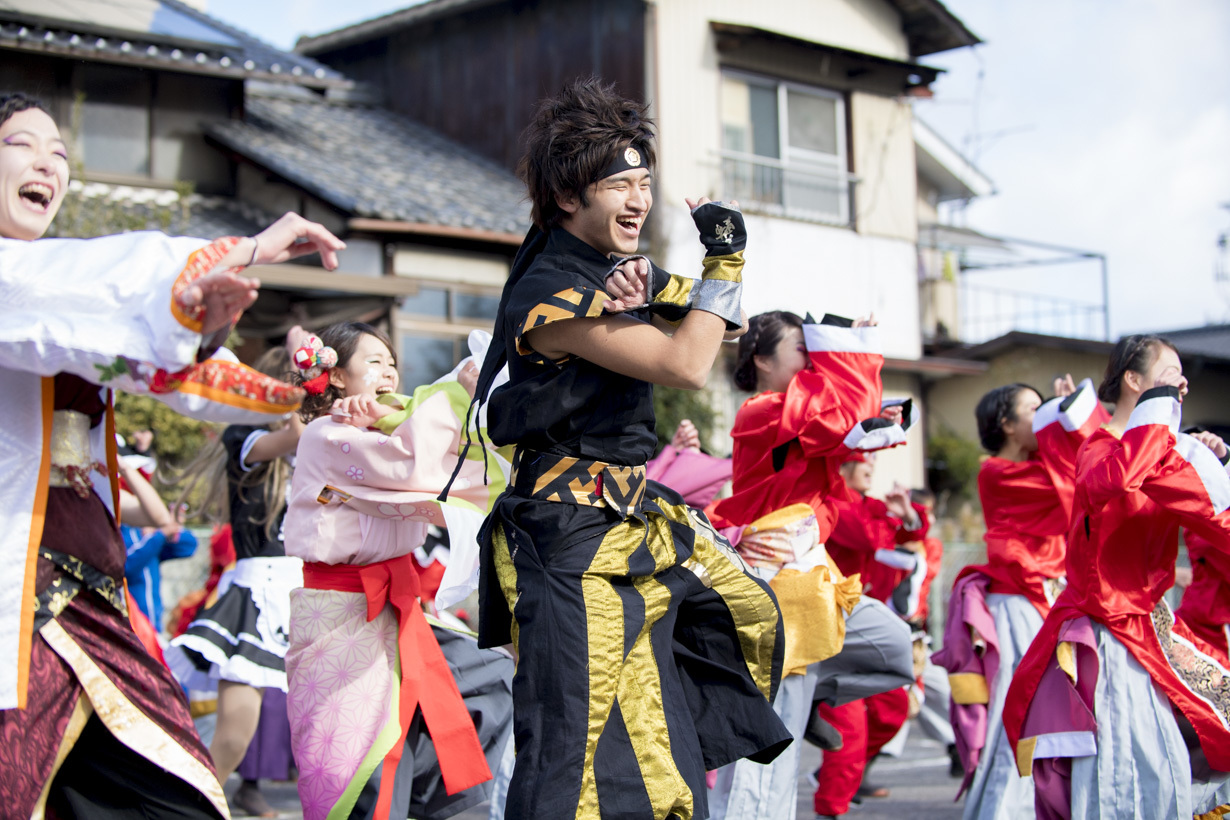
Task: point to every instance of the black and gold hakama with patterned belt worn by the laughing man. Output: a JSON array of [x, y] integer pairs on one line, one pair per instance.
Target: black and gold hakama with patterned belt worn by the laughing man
[[648, 652]]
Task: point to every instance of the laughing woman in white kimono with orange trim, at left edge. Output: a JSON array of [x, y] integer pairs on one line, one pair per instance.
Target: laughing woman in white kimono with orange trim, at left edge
[[90, 723]]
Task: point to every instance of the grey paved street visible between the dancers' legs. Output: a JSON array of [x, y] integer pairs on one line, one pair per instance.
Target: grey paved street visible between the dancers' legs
[[919, 780]]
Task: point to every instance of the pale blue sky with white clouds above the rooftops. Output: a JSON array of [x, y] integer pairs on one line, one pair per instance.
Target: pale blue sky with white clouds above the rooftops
[[1105, 126]]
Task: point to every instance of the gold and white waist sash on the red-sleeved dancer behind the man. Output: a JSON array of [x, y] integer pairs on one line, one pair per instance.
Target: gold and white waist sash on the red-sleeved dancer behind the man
[[812, 594]]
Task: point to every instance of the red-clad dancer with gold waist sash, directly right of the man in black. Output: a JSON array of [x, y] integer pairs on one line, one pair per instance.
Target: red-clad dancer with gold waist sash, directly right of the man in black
[[819, 403]]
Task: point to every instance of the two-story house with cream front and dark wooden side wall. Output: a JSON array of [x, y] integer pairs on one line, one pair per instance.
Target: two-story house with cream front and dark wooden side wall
[[798, 109]]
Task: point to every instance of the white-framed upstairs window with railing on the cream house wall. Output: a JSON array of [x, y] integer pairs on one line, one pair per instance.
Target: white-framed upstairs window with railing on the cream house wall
[[784, 148]]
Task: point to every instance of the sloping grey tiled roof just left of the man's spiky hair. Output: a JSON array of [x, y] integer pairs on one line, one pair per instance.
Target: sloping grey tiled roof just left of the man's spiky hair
[[372, 163]]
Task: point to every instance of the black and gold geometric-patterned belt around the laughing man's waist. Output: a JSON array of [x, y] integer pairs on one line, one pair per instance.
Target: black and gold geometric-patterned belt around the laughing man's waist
[[579, 481]]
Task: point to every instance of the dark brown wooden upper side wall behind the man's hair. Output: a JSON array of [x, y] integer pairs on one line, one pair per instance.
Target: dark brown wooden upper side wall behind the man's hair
[[478, 77]]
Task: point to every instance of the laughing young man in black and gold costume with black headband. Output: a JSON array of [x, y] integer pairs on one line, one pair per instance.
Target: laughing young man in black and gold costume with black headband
[[648, 653]]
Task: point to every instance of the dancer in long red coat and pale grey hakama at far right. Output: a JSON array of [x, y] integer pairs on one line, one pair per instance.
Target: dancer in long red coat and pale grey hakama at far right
[[1115, 710]]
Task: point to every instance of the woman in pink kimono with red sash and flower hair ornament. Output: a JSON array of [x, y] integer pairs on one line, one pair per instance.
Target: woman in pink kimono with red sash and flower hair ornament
[[371, 677]]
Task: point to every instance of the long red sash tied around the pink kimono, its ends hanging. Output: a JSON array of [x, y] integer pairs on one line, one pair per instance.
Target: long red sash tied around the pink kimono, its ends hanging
[[426, 685]]
